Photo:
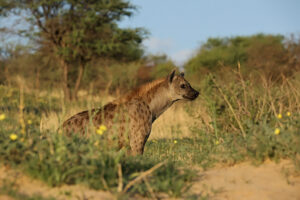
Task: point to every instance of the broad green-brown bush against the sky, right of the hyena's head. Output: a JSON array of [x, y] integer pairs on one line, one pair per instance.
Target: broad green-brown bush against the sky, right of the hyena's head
[[267, 53]]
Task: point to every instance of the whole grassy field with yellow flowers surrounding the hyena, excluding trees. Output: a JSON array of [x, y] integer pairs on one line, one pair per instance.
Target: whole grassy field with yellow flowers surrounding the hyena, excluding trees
[[251, 119]]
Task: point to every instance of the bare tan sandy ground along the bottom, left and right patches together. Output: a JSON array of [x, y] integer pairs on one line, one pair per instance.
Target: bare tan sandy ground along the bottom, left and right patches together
[[269, 181]]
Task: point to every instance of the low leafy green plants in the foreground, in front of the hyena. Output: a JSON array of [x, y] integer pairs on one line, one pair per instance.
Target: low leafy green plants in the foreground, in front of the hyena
[[57, 159]]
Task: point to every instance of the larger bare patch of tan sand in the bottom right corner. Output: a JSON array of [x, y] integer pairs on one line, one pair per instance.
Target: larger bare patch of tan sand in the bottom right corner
[[269, 181]]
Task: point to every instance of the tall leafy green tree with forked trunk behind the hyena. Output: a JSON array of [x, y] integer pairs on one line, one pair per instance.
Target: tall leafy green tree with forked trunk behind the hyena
[[76, 31]]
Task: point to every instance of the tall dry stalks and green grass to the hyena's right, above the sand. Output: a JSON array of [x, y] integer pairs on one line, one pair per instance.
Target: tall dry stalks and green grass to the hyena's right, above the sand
[[246, 118]]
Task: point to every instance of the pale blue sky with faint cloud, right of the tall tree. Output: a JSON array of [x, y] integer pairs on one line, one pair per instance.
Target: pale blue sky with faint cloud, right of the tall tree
[[178, 27]]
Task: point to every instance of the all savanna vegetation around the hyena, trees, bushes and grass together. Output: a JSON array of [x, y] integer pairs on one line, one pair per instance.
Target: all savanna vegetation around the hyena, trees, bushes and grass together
[[78, 58]]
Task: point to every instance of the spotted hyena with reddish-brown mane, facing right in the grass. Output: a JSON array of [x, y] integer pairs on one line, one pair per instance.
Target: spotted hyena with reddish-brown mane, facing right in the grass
[[132, 115]]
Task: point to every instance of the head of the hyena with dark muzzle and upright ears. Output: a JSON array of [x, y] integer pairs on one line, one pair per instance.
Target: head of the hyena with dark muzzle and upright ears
[[179, 88]]
